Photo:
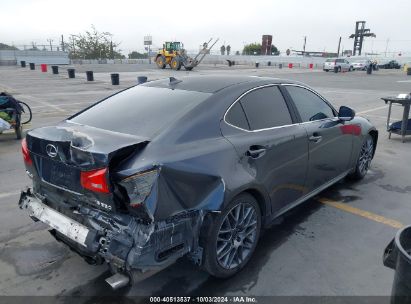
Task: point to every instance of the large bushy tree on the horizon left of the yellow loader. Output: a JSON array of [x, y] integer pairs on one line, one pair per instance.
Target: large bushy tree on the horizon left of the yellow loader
[[93, 45]]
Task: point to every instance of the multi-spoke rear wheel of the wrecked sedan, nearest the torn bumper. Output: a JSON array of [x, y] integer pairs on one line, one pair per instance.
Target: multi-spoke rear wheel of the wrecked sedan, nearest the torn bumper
[[232, 237]]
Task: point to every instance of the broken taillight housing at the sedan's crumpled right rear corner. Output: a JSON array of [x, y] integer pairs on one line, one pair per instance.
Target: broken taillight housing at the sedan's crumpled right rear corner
[[139, 186]]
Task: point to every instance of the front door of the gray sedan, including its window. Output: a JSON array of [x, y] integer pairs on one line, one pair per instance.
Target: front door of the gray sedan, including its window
[[330, 140]]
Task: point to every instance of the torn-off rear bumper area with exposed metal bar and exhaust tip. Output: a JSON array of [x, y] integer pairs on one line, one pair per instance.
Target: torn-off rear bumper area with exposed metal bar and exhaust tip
[[131, 247]]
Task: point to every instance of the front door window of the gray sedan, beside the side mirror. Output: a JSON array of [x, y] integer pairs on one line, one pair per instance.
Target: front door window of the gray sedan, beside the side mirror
[[310, 106]]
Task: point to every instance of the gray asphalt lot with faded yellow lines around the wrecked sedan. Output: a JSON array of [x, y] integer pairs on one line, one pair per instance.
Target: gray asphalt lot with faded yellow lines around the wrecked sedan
[[318, 249]]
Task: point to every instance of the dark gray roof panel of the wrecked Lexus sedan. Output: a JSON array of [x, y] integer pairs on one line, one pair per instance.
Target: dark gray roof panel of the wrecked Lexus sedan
[[211, 83]]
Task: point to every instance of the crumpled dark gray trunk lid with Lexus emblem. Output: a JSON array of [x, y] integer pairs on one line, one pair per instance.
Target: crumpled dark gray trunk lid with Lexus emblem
[[60, 153]]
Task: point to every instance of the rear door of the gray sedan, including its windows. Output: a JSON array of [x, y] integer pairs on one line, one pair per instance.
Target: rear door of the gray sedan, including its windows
[[271, 147]]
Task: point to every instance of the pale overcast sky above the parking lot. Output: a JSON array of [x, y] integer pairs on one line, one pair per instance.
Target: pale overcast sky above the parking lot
[[192, 22]]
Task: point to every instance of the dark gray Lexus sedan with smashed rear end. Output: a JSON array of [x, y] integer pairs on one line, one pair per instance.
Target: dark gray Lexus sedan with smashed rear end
[[194, 167]]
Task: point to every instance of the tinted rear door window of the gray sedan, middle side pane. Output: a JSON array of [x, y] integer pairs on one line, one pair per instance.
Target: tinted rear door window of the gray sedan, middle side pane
[[266, 108]]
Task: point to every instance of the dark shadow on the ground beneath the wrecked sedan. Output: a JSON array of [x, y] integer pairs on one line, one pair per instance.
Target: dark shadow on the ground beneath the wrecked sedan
[[185, 279]]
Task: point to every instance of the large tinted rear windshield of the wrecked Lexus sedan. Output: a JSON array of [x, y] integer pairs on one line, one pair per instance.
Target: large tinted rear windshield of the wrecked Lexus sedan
[[140, 110]]
